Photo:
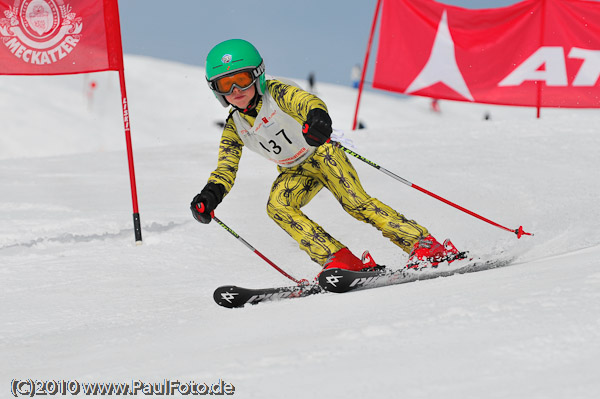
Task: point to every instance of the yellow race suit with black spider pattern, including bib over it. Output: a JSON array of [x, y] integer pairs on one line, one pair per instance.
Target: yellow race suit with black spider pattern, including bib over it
[[304, 173]]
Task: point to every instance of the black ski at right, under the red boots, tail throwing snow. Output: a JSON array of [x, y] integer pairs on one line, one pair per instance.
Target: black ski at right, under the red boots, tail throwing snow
[[339, 280]]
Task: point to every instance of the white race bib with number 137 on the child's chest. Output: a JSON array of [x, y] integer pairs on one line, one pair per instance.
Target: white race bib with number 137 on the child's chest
[[275, 135]]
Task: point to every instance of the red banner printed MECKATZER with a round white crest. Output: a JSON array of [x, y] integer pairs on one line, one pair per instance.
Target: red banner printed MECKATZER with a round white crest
[[53, 37]]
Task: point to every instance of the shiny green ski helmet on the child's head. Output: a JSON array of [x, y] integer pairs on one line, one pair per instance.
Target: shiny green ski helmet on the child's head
[[233, 56]]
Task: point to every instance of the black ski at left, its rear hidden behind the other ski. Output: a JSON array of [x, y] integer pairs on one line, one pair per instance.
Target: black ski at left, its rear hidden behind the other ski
[[231, 296]]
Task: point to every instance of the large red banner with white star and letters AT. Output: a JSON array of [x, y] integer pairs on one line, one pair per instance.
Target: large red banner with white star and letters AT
[[533, 53]]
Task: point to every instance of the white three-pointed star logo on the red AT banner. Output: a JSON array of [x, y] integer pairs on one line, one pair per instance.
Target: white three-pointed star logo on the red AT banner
[[441, 66]]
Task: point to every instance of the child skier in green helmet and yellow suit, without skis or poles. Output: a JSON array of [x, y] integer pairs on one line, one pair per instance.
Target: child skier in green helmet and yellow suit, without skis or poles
[[291, 127]]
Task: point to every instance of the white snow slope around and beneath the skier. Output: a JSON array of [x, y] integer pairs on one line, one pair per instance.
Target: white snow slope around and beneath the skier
[[79, 301]]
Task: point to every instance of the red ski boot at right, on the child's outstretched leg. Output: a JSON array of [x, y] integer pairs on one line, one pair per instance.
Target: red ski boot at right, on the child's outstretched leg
[[428, 252]]
